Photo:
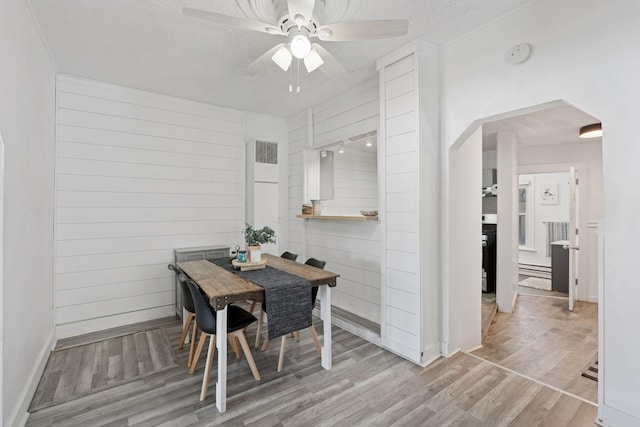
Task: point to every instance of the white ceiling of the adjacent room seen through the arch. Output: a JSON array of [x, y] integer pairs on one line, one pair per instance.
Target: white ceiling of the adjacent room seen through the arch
[[554, 125]]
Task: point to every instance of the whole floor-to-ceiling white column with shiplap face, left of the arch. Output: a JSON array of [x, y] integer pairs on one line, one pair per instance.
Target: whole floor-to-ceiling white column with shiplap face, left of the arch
[[410, 211]]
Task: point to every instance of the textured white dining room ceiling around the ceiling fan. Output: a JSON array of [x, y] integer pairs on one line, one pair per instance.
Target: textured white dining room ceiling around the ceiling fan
[[151, 45]]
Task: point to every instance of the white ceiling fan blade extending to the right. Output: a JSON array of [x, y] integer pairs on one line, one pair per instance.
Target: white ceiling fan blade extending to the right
[[362, 30]]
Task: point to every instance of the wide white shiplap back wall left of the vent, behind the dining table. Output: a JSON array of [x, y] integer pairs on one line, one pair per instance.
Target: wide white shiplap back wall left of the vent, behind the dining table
[[137, 175]]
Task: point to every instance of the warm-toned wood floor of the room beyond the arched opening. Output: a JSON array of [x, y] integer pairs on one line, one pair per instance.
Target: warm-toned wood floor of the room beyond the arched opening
[[542, 339]]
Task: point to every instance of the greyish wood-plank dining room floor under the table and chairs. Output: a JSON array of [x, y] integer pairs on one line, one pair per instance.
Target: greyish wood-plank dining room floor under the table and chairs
[[367, 386]]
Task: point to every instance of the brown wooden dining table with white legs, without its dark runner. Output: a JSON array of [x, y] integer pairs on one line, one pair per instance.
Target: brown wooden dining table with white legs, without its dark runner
[[224, 287]]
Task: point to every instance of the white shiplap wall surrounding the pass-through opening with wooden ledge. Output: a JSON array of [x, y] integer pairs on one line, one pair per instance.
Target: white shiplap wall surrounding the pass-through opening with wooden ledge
[[351, 248]]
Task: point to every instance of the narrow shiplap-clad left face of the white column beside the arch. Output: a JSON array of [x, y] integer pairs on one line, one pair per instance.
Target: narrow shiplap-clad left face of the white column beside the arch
[[401, 166]]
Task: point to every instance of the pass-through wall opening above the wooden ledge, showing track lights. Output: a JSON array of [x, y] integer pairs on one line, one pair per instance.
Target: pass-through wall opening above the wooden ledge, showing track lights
[[344, 175]]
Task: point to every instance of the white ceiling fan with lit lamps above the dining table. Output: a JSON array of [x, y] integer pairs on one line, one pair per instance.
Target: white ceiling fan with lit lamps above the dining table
[[298, 24]]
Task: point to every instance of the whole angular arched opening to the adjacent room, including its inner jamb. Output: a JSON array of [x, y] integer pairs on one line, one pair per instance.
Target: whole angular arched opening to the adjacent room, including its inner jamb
[[536, 140]]
